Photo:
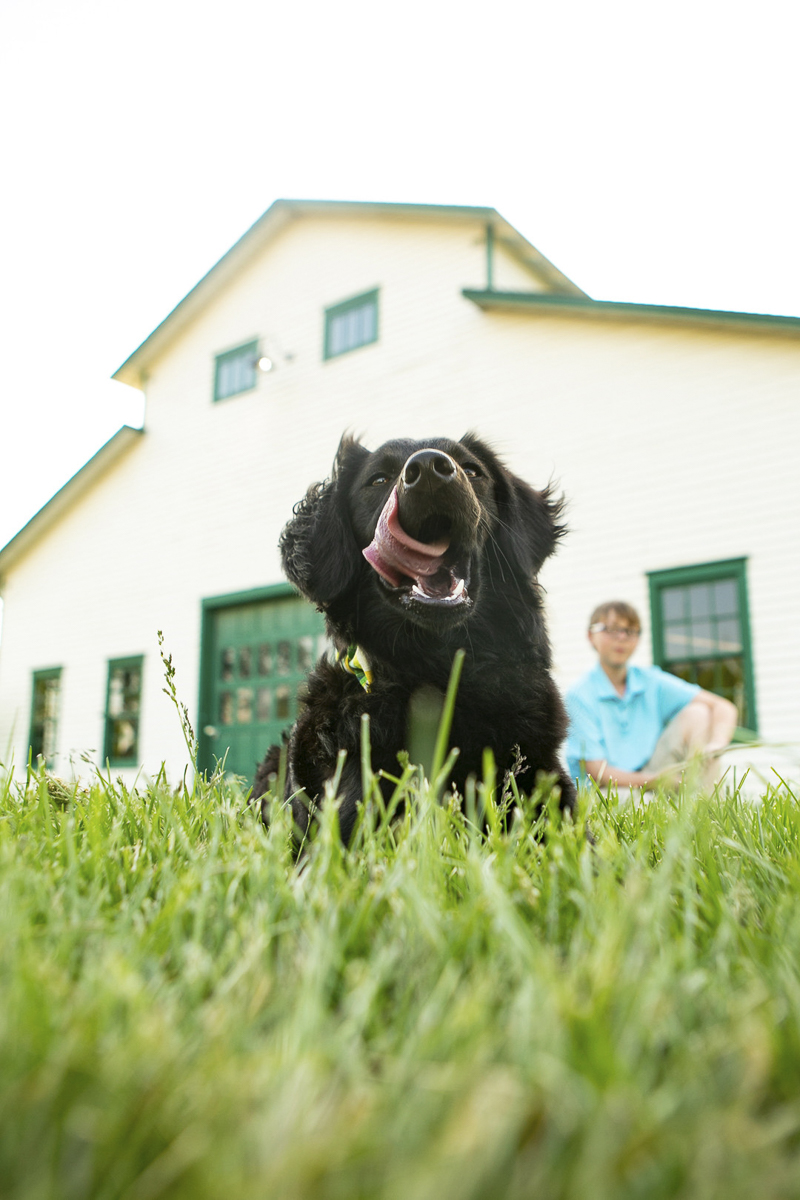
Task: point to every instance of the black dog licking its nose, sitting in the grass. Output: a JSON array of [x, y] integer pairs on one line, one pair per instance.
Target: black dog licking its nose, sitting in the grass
[[413, 553]]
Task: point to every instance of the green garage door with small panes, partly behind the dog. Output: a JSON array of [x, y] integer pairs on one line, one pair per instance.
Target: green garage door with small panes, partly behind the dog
[[257, 652]]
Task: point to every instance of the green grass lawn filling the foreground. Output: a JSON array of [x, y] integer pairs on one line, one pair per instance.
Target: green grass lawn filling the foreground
[[435, 1013]]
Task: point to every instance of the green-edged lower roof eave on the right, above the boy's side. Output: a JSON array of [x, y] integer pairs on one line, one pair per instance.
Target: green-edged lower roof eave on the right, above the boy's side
[[550, 304]]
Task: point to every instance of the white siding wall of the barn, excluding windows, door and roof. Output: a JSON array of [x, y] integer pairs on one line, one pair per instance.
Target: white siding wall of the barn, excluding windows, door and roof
[[673, 447]]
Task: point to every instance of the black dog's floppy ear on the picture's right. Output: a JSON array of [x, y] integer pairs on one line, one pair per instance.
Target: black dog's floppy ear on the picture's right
[[530, 521]]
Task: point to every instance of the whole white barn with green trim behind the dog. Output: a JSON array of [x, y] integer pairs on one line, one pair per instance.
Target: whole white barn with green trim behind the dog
[[670, 430]]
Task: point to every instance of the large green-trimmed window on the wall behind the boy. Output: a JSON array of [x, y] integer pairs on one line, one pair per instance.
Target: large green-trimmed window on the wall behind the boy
[[701, 631]]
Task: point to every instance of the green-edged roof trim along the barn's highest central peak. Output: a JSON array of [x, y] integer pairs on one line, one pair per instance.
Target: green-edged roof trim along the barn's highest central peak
[[282, 213]]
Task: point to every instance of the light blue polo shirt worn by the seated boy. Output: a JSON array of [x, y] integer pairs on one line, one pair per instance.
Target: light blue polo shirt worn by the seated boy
[[622, 730]]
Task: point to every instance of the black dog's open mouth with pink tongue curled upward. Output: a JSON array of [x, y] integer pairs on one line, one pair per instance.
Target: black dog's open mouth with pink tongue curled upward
[[429, 573]]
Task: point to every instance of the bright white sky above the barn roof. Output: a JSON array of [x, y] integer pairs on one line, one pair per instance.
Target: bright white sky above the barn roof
[[649, 151]]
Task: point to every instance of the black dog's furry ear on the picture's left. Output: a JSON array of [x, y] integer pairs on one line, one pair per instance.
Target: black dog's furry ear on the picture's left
[[320, 553]]
